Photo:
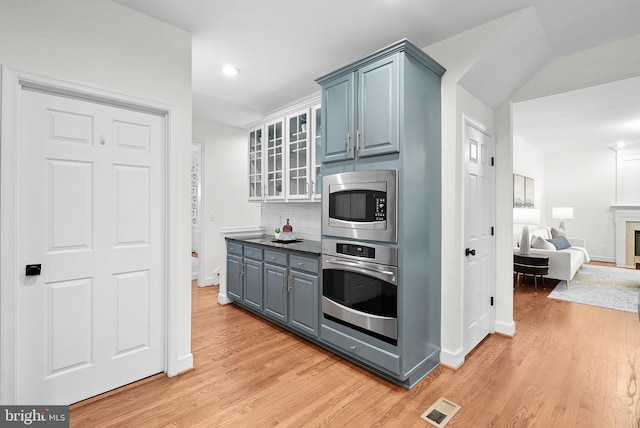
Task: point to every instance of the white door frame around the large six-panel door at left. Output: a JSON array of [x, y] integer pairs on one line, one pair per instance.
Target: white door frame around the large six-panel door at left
[[14, 80]]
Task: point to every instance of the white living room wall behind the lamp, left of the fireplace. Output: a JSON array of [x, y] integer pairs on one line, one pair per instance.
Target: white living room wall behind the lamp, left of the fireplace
[[586, 181]]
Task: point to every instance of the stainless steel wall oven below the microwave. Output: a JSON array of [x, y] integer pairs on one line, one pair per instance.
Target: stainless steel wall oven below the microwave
[[359, 287]]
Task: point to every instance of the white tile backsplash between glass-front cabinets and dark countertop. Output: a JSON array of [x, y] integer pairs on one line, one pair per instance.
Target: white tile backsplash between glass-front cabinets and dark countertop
[[304, 217]]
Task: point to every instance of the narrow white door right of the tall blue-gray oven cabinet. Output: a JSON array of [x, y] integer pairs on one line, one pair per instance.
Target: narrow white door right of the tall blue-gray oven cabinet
[[479, 242]]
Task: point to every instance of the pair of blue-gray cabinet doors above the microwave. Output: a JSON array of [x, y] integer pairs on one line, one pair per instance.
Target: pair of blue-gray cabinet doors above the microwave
[[361, 110]]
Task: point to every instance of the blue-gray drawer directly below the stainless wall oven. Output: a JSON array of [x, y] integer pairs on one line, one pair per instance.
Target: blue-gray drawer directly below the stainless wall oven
[[362, 350]]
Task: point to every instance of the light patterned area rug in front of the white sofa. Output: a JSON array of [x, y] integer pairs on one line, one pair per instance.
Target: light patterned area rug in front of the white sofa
[[607, 287]]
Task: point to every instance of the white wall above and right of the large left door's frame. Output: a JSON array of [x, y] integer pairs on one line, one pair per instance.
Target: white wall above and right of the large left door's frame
[[102, 44]]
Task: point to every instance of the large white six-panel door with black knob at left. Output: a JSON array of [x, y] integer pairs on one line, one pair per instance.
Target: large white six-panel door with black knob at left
[[90, 213]]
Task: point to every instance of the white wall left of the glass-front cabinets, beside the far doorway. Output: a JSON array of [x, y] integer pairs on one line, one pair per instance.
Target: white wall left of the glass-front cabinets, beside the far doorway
[[225, 188]]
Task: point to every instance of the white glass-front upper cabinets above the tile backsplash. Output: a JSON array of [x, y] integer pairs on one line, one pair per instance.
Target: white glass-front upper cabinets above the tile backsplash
[[283, 164]]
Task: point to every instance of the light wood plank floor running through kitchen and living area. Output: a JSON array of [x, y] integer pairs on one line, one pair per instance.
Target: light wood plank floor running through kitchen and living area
[[568, 365]]
